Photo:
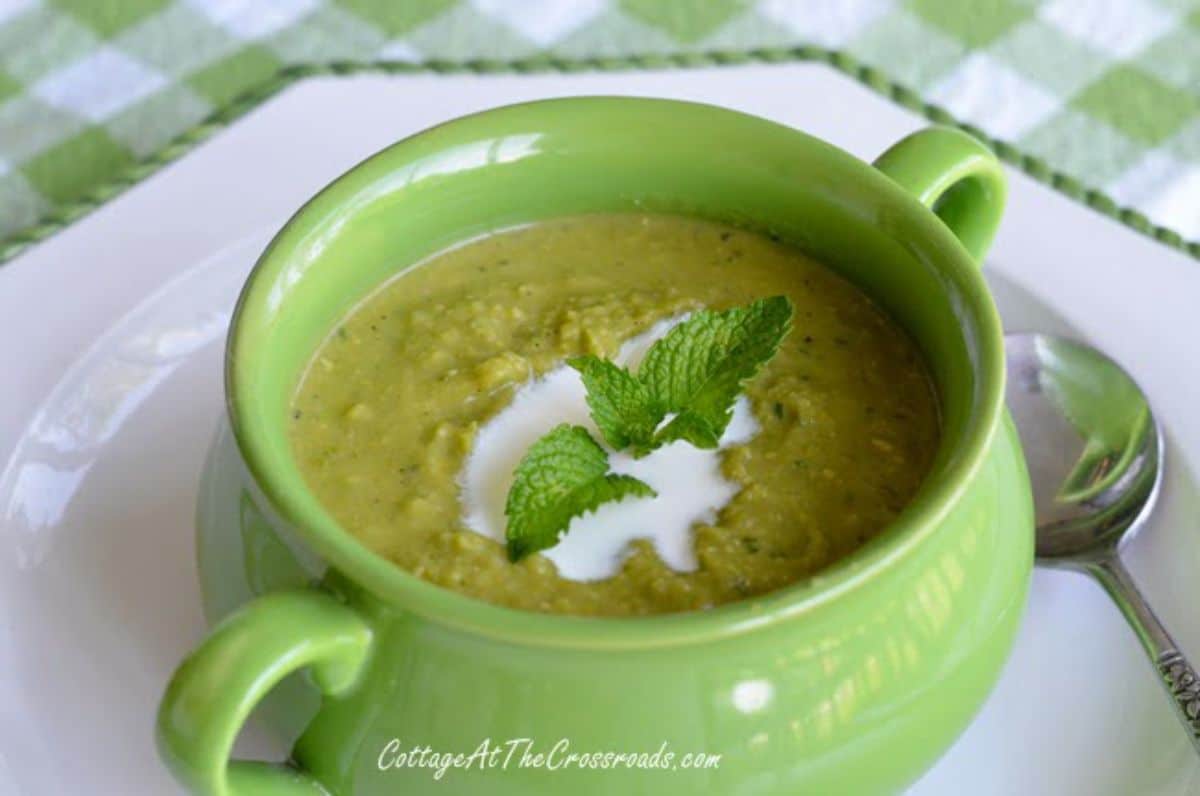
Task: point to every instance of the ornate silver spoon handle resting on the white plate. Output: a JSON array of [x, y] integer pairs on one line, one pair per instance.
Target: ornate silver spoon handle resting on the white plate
[[1178, 675]]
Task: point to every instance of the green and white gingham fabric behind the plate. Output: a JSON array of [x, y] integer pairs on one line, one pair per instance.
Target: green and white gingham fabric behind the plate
[[1105, 93]]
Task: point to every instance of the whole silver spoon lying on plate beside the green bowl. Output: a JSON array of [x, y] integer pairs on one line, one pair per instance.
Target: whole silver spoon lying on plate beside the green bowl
[[1095, 454]]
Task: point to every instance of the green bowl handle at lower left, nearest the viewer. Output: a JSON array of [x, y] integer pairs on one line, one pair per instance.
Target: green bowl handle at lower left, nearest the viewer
[[217, 687]]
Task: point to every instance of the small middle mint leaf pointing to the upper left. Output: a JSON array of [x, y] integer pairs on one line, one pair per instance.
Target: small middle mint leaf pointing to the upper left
[[622, 406]]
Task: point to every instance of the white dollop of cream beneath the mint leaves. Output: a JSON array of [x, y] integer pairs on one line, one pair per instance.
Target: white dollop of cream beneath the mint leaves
[[688, 481]]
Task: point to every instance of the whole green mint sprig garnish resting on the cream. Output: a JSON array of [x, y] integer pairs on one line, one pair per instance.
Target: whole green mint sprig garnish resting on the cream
[[685, 390]]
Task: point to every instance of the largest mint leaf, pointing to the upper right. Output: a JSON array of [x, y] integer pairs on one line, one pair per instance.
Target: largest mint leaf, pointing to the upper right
[[699, 368]]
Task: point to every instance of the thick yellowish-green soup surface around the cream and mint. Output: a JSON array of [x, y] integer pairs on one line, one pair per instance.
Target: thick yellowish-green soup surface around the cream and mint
[[386, 416]]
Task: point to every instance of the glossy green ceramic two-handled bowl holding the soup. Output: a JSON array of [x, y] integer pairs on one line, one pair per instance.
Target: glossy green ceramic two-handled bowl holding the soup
[[853, 683]]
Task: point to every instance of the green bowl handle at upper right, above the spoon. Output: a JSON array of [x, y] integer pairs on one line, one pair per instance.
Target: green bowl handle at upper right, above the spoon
[[956, 177]]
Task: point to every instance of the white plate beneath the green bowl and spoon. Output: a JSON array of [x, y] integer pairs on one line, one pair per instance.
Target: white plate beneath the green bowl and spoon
[[98, 590]]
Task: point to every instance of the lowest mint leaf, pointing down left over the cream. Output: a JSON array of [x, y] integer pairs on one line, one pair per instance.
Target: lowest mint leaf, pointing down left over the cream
[[563, 476]]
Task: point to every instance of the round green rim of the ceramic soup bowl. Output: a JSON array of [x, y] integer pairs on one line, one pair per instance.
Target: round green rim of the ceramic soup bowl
[[363, 570]]
